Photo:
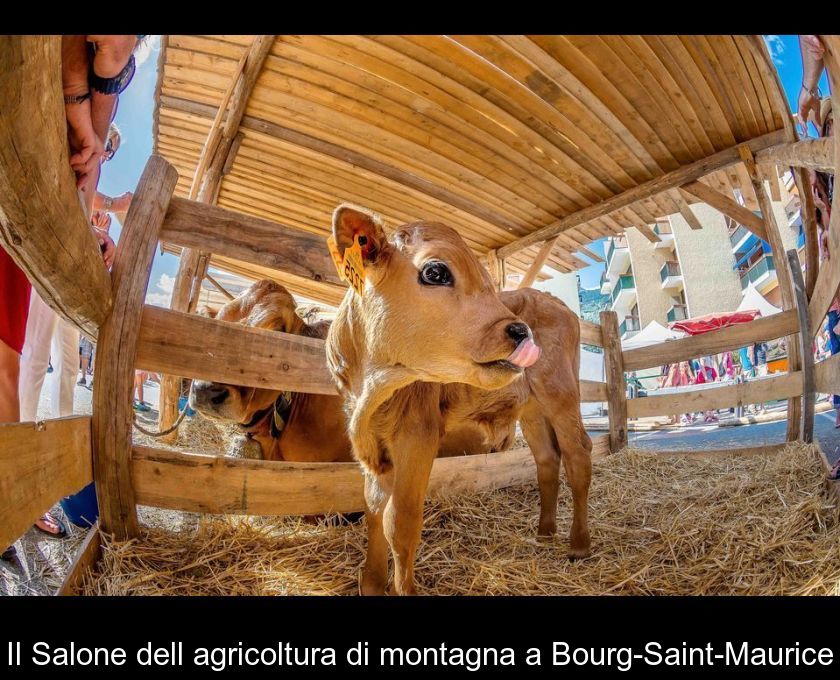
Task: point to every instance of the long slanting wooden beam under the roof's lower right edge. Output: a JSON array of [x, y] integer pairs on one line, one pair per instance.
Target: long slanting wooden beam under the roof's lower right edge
[[674, 178]]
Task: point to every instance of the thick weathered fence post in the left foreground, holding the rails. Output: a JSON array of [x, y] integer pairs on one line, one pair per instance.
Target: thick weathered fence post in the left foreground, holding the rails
[[117, 346]]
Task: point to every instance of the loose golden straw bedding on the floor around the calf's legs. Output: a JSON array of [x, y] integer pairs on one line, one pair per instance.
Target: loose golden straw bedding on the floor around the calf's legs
[[660, 525]]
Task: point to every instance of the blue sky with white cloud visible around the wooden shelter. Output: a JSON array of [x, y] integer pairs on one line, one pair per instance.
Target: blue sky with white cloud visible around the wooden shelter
[[134, 118]]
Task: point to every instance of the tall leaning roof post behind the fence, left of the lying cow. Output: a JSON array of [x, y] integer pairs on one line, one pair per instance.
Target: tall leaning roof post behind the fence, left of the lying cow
[[216, 156]]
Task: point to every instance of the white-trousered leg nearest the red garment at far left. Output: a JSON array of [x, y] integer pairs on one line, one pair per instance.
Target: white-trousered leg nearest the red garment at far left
[[35, 356]]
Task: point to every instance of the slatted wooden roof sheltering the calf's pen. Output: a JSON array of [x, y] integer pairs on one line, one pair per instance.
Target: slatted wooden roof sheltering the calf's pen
[[498, 136]]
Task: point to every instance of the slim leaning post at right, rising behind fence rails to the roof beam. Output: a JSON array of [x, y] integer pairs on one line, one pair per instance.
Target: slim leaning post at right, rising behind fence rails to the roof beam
[[774, 238]]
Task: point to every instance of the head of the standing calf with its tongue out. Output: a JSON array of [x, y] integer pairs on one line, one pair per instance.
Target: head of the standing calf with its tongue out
[[429, 309]]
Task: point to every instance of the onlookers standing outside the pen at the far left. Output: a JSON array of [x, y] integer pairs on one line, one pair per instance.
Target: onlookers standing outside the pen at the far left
[[95, 70]]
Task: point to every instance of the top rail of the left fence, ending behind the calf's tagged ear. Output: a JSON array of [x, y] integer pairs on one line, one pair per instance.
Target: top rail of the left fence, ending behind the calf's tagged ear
[[205, 227]]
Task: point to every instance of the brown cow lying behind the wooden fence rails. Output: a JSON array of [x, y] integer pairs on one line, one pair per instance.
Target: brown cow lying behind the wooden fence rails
[[286, 426]]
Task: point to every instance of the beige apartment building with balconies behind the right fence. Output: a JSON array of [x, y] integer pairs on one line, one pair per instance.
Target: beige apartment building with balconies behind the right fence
[[689, 272]]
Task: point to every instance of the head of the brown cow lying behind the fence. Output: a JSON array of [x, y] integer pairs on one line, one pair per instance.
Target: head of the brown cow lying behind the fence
[[267, 305]]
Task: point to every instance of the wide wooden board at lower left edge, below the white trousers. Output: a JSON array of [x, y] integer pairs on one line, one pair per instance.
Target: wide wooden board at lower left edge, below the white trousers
[[40, 463]]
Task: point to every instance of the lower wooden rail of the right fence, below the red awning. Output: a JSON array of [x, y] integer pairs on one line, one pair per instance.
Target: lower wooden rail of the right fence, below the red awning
[[694, 400]]
